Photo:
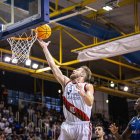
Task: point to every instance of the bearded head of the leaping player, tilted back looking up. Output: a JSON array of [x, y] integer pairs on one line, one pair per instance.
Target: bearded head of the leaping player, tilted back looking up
[[83, 71]]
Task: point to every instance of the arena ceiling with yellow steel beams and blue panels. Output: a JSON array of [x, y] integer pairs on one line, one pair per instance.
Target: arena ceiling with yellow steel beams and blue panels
[[68, 35]]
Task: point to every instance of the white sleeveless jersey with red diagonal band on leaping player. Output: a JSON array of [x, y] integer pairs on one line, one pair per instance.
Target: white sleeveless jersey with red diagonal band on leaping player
[[74, 107]]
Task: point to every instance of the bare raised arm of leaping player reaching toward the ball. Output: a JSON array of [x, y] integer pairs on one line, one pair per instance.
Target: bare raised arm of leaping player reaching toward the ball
[[56, 71]]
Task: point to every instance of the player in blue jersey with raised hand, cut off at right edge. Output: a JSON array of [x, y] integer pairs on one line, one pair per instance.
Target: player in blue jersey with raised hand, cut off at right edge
[[132, 130]]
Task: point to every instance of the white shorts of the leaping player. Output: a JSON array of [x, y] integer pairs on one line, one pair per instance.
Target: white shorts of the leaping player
[[76, 131]]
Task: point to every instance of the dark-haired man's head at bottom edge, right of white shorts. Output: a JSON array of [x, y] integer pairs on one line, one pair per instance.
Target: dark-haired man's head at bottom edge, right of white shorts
[[99, 131]]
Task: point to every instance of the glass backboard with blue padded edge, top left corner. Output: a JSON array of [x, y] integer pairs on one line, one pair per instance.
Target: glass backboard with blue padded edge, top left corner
[[20, 15]]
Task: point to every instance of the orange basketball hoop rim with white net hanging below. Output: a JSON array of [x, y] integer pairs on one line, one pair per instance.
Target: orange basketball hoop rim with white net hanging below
[[21, 46]]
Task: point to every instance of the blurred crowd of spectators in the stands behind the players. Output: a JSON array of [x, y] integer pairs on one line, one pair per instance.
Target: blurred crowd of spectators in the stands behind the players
[[37, 123]]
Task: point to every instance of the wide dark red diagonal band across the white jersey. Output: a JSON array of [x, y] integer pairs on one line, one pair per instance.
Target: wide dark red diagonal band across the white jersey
[[76, 112]]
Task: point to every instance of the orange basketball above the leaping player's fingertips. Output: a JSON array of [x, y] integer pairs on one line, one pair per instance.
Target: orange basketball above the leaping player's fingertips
[[43, 32]]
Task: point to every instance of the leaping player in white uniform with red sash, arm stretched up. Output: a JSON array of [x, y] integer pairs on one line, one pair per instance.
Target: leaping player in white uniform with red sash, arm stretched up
[[77, 100]]
